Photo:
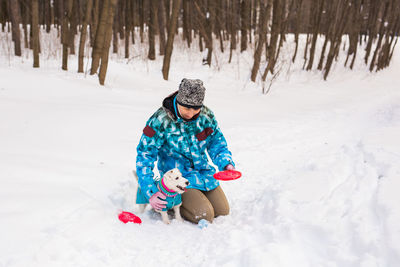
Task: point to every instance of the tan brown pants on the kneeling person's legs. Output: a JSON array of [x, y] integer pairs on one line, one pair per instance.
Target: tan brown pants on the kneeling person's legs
[[197, 205]]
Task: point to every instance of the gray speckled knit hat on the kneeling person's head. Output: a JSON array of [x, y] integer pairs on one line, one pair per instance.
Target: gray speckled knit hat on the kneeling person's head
[[191, 93]]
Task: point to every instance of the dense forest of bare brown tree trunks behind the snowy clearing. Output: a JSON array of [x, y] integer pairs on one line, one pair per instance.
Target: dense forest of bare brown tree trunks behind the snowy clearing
[[94, 28]]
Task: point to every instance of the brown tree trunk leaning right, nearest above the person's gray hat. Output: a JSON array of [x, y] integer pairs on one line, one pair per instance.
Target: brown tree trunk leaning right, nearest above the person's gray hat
[[171, 34]]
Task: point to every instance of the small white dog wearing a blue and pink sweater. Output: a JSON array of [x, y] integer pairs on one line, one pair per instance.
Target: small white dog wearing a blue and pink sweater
[[171, 185]]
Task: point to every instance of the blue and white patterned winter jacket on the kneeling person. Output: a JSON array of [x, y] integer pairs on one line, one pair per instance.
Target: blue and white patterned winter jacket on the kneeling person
[[175, 143]]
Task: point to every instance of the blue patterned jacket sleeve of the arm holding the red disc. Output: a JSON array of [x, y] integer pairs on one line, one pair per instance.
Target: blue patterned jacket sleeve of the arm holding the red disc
[[218, 148]]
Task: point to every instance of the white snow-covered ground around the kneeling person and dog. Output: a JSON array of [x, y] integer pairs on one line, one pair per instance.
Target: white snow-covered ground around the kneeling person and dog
[[320, 163]]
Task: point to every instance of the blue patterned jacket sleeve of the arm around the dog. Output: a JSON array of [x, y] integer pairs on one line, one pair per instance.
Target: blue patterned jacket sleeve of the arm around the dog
[[147, 151]]
